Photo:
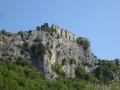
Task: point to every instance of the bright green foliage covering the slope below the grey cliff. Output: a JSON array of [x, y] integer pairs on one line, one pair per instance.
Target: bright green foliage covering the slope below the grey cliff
[[21, 75]]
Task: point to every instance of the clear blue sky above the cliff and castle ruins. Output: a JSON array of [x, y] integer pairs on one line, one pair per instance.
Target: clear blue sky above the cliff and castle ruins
[[98, 20]]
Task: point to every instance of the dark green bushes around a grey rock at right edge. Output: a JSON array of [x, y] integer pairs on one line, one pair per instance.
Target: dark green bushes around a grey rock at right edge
[[107, 71]]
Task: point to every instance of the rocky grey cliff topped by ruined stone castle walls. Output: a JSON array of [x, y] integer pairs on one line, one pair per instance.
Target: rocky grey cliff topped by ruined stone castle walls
[[53, 51]]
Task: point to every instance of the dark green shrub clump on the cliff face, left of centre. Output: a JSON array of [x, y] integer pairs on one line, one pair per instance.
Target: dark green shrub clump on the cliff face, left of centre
[[35, 49]]
